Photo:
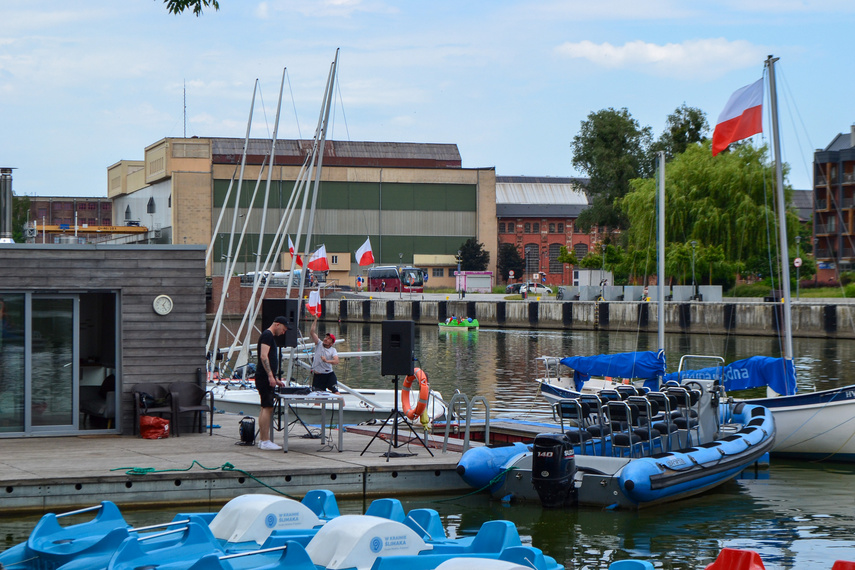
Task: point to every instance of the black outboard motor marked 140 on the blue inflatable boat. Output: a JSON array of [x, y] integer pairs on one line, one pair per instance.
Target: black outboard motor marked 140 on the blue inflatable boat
[[553, 469]]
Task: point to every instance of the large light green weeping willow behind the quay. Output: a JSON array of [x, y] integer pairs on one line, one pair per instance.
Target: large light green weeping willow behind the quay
[[725, 202]]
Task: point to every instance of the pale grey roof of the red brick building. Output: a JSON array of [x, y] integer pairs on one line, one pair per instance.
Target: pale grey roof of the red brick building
[[541, 191]]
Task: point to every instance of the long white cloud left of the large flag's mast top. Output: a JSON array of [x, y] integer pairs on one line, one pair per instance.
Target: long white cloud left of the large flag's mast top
[[705, 58]]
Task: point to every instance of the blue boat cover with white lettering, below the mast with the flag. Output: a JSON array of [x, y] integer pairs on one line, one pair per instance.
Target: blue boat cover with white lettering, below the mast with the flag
[[753, 372]]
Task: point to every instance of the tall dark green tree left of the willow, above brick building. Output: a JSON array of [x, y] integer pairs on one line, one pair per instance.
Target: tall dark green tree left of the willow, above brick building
[[612, 149]]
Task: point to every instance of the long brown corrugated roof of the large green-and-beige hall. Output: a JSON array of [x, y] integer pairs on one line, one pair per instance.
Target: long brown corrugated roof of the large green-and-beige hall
[[341, 153]]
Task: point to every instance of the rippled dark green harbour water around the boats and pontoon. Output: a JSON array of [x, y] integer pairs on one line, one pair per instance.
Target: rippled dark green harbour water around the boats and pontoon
[[801, 516]]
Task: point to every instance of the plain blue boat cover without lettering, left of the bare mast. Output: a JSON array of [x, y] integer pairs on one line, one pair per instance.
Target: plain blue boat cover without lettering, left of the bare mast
[[647, 365]]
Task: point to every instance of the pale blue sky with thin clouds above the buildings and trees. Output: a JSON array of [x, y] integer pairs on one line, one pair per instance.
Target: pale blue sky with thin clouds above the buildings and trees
[[84, 85]]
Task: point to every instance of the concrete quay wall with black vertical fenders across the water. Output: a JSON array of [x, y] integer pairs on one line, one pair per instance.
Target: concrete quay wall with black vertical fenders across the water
[[820, 319]]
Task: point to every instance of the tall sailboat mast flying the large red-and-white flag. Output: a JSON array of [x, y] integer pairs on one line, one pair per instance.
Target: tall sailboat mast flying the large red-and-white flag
[[782, 211]]
